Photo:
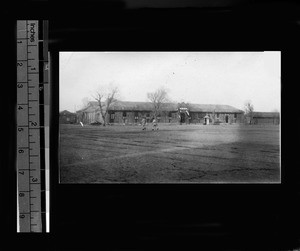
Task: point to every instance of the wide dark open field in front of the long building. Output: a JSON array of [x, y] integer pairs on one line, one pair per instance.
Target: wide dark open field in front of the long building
[[173, 154]]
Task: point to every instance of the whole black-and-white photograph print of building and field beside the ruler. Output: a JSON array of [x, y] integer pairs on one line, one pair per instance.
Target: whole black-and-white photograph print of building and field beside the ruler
[[169, 117]]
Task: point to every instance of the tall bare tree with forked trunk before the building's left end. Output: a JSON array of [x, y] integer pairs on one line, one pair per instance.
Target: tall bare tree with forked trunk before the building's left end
[[105, 96]]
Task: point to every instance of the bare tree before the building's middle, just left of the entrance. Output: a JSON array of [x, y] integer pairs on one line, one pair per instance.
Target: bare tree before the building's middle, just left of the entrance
[[158, 100]]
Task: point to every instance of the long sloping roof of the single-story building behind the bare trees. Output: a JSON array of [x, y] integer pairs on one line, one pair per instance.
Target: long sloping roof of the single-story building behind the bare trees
[[147, 106]]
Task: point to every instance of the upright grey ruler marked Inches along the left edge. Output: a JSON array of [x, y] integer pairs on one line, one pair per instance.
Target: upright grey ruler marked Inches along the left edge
[[32, 125]]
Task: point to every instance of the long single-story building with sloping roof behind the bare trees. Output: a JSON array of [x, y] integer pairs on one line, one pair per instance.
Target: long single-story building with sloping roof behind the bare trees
[[125, 112]]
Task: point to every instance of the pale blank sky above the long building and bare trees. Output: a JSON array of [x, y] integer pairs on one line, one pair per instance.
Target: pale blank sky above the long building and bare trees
[[228, 78]]
